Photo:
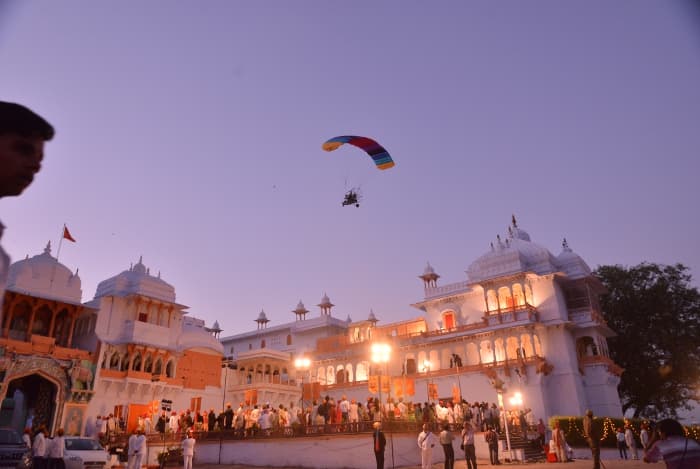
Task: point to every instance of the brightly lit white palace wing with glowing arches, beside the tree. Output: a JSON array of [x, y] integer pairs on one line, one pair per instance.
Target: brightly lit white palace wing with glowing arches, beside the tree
[[524, 321]]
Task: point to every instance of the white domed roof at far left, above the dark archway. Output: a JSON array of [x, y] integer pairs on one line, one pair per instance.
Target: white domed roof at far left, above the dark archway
[[43, 276]]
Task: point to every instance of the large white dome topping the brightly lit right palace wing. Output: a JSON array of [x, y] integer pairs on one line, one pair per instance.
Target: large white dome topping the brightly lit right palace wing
[[516, 254]]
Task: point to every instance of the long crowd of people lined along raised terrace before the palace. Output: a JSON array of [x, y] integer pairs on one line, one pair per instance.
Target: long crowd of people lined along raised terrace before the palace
[[329, 413]]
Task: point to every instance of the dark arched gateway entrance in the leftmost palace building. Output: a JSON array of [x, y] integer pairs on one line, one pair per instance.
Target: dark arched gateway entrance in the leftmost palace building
[[35, 396]]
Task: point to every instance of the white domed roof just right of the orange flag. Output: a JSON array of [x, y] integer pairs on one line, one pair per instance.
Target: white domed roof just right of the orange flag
[[137, 280]]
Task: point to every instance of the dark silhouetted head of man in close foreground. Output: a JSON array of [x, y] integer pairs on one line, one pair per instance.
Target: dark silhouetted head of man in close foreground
[[22, 137]]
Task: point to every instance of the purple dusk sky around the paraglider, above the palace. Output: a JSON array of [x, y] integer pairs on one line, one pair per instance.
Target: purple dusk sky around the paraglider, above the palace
[[190, 133]]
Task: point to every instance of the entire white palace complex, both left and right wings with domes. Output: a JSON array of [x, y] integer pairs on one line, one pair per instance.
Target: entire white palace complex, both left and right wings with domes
[[524, 320]]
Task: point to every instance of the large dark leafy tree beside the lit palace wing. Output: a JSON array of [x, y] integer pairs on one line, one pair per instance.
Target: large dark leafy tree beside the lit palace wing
[[656, 314]]
